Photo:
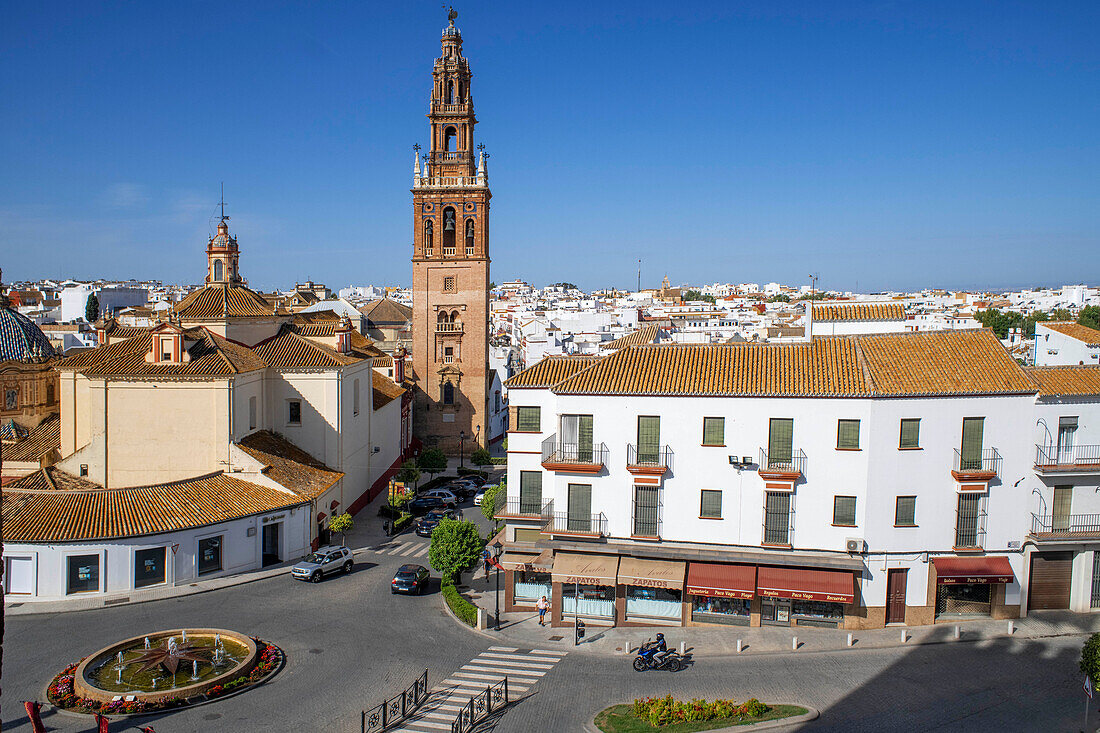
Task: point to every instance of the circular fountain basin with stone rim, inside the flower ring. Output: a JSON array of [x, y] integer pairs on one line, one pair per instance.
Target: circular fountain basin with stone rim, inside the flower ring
[[97, 677]]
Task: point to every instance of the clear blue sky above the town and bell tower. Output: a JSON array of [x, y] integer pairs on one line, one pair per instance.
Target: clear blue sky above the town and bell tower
[[879, 145]]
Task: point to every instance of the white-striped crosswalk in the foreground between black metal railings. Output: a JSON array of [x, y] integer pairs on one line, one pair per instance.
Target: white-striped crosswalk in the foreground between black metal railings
[[524, 669]]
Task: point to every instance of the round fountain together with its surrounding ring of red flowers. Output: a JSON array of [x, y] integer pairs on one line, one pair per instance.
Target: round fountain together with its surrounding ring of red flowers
[[164, 671]]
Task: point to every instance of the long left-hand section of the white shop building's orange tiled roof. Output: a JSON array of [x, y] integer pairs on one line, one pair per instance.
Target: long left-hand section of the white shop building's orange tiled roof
[[824, 368]]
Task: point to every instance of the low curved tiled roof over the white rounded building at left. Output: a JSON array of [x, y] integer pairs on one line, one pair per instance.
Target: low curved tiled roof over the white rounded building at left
[[36, 512]]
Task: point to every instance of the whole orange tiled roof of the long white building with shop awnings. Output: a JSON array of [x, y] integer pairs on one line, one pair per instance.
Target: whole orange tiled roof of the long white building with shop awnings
[[896, 365]]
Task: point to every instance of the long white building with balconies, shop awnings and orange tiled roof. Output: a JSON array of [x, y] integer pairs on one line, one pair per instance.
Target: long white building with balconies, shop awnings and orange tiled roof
[[850, 482]]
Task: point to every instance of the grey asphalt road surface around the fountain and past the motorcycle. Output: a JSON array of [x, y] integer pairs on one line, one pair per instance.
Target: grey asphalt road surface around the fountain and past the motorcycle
[[350, 644]]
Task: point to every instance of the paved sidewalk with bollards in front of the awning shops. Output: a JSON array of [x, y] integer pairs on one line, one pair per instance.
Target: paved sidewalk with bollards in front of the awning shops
[[523, 629]]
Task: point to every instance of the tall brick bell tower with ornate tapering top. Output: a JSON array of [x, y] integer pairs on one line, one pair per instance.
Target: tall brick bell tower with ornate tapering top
[[450, 264]]
